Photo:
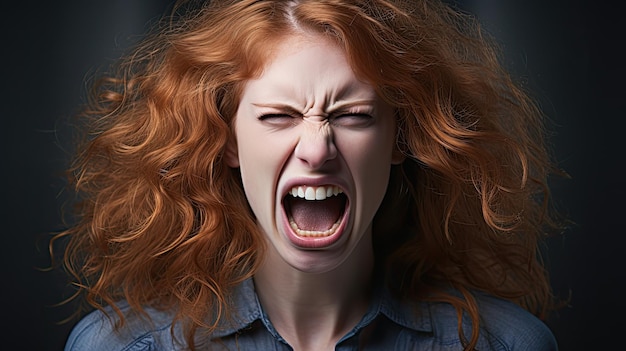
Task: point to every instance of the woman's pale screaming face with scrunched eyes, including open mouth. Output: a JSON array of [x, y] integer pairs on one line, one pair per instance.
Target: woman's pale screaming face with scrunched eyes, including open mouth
[[314, 145]]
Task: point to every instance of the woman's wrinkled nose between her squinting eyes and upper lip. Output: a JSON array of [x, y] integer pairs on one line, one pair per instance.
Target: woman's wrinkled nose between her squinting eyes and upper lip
[[316, 145]]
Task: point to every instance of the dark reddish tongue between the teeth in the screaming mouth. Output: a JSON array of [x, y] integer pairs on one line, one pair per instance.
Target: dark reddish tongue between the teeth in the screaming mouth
[[318, 215]]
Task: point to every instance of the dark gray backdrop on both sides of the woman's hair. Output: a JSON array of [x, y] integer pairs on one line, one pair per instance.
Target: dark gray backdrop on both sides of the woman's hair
[[569, 52]]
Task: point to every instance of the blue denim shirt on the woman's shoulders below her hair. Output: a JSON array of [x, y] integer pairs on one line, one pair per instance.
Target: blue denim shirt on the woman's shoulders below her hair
[[391, 325]]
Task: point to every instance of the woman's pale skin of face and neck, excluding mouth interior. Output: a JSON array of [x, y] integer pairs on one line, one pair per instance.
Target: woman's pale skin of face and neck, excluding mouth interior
[[309, 122]]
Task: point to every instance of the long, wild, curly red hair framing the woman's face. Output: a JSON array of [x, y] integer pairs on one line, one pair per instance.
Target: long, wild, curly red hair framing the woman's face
[[163, 221]]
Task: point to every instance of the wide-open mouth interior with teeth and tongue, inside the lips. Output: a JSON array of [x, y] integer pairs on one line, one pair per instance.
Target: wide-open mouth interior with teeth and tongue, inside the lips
[[315, 211]]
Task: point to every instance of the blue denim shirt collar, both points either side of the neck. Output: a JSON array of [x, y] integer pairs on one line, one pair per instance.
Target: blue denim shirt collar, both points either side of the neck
[[246, 309]]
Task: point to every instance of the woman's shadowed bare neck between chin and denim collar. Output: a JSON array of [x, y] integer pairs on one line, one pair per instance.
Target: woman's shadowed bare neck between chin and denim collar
[[314, 310]]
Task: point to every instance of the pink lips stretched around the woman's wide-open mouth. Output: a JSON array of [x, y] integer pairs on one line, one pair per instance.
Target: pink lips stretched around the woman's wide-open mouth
[[314, 242]]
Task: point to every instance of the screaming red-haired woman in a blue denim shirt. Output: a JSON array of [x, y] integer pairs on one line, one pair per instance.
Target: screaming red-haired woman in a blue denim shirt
[[312, 175]]
